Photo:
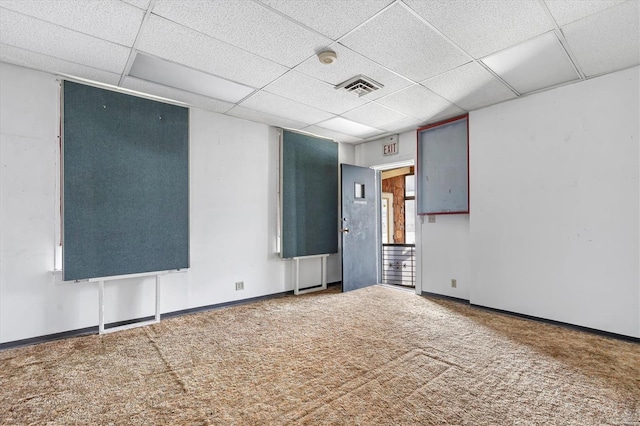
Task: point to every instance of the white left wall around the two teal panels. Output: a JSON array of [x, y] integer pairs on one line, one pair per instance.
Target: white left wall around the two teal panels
[[233, 205]]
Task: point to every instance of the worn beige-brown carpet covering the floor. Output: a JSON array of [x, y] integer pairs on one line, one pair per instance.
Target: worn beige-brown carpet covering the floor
[[377, 356]]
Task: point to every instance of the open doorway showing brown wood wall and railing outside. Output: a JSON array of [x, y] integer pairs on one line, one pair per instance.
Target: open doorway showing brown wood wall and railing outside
[[398, 226]]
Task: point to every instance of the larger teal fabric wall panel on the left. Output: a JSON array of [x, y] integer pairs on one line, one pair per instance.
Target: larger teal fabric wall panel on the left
[[125, 184]]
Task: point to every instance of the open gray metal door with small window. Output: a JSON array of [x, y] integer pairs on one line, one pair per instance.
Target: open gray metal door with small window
[[359, 227]]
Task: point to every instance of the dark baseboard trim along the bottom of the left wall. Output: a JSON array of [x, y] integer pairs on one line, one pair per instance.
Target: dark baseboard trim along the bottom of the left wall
[[94, 329]]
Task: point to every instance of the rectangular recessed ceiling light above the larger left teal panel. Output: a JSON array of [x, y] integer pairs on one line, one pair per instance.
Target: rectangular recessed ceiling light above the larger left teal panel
[[178, 76]]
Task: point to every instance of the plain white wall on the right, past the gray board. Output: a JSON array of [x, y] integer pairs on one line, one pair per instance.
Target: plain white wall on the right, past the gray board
[[554, 204]]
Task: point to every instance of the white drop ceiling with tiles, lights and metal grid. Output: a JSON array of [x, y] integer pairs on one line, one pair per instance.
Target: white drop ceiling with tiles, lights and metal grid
[[257, 59]]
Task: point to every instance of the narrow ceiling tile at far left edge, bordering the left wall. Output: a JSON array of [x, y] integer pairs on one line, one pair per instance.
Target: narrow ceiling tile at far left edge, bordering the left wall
[[26, 58]]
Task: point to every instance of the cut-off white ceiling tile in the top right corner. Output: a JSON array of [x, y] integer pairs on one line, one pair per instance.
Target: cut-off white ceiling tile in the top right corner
[[607, 41]]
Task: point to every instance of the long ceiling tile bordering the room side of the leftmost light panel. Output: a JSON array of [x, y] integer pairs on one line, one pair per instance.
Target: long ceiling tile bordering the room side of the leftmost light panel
[[176, 43]]
